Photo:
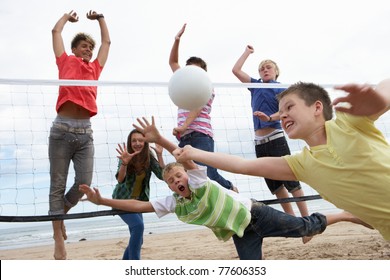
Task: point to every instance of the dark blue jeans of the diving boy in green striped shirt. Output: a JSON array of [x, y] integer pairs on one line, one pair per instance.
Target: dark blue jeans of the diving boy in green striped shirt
[[269, 222]]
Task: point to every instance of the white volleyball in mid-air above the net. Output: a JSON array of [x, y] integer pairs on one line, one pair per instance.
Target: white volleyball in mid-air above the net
[[190, 87]]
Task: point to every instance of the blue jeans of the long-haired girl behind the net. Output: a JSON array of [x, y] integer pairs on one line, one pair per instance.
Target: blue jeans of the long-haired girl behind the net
[[135, 223]]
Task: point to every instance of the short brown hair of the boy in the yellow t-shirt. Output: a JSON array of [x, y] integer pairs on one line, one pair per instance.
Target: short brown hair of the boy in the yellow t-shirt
[[310, 93]]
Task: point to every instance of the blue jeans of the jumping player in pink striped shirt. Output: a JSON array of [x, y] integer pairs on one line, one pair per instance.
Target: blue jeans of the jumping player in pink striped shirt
[[206, 143]]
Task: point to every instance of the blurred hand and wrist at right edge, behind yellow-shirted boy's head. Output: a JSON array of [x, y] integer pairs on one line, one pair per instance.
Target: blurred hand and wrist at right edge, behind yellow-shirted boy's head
[[365, 100]]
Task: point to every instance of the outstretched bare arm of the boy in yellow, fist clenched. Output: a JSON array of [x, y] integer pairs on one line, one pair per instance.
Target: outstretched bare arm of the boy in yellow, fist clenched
[[269, 167]]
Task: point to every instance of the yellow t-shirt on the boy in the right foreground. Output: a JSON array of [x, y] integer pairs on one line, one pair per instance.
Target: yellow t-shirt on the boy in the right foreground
[[352, 170]]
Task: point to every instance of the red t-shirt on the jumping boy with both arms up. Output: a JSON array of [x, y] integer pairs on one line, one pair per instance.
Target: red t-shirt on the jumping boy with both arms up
[[71, 67]]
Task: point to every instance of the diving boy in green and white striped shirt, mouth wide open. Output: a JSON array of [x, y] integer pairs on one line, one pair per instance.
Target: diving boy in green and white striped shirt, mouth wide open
[[200, 201]]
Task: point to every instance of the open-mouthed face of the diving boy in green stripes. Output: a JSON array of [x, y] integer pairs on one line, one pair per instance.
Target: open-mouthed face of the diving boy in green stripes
[[177, 179]]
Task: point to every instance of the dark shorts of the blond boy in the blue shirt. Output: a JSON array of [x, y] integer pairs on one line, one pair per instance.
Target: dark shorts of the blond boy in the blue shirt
[[276, 148]]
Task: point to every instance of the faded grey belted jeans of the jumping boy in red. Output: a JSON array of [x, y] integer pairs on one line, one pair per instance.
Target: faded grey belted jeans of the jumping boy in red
[[69, 140]]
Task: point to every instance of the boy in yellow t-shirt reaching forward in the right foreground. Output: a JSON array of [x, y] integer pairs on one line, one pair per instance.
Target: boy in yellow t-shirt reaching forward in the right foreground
[[347, 159]]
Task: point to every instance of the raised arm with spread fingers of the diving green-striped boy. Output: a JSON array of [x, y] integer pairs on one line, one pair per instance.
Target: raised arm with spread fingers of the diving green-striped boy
[[152, 135]]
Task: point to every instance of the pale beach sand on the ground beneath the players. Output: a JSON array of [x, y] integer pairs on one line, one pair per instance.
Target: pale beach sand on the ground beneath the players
[[342, 241]]
